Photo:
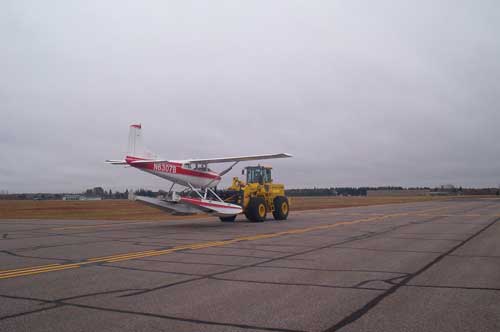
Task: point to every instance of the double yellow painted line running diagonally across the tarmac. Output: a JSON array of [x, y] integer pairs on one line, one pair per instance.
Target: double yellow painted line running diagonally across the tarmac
[[6, 274]]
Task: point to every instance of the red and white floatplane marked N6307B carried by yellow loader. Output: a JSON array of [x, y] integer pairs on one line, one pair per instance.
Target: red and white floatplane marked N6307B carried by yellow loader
[[194, 174]]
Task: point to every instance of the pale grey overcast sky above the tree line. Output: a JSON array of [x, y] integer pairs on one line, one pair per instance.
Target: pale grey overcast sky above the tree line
[[360, 92]]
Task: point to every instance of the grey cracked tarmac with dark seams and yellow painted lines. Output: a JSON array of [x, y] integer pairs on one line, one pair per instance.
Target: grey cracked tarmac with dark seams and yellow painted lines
[[430, 266]]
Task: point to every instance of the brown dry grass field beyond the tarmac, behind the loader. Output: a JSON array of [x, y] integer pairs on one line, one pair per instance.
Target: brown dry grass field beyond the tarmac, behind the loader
[[129, 210]]
